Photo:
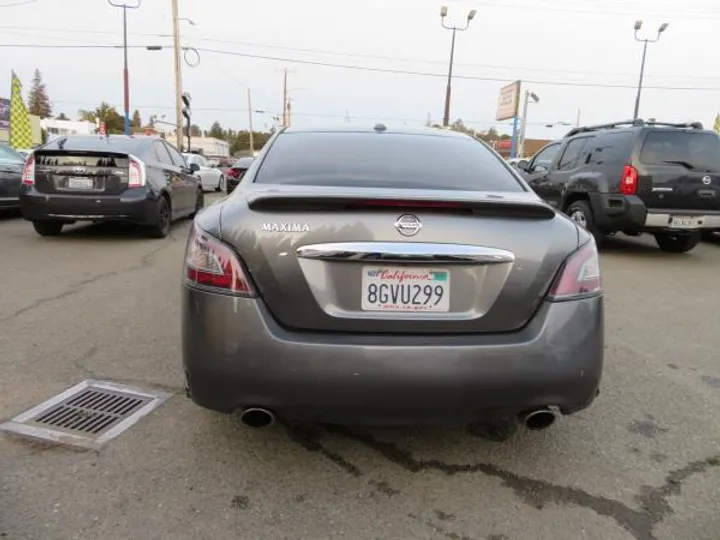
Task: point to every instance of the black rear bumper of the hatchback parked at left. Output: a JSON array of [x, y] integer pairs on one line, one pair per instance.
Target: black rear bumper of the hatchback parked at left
[[134, 205]]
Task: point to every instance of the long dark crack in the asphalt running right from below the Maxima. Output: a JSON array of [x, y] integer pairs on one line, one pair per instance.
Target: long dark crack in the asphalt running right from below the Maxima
[[537, 493]]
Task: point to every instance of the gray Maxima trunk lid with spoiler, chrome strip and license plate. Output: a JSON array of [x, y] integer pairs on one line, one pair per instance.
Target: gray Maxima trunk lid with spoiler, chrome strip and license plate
[[361, 260]]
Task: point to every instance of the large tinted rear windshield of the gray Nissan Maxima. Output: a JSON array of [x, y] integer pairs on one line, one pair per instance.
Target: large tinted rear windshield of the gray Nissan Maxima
[[385, 160]]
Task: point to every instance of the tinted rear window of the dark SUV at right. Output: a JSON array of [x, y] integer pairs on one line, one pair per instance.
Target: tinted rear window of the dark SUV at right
[[698, 151]]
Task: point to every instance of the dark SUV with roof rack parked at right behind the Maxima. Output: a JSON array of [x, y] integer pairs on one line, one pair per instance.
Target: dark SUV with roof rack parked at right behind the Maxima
[[634, 177]]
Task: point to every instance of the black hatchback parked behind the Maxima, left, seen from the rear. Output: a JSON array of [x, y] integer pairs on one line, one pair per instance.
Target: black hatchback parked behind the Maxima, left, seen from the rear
[[141, 180]]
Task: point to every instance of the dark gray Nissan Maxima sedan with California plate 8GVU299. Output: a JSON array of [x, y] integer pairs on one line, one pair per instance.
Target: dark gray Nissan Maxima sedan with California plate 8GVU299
[[389, 277]]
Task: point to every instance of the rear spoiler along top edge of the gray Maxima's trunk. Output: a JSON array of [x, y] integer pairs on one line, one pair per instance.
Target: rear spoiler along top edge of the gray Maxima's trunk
[[492, 206]]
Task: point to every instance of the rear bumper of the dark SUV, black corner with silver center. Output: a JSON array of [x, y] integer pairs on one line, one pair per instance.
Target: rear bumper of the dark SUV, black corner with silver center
[[614, 212]]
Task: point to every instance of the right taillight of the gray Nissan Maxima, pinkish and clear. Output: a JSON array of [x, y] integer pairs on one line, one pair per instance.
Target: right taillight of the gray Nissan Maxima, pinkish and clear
[[580, 275]]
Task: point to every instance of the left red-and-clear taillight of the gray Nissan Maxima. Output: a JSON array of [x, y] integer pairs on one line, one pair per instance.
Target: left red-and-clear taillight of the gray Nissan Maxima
[[210, 263]]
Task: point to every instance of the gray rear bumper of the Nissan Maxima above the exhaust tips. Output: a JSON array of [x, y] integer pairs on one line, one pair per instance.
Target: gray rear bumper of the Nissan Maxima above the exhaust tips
[[236, 355]]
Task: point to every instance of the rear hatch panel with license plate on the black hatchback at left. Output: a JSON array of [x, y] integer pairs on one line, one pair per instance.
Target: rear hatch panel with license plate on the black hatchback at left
[[81, 173]]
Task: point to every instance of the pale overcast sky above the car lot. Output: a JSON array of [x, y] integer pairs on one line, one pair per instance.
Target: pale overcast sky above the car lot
[[554, 45]]
